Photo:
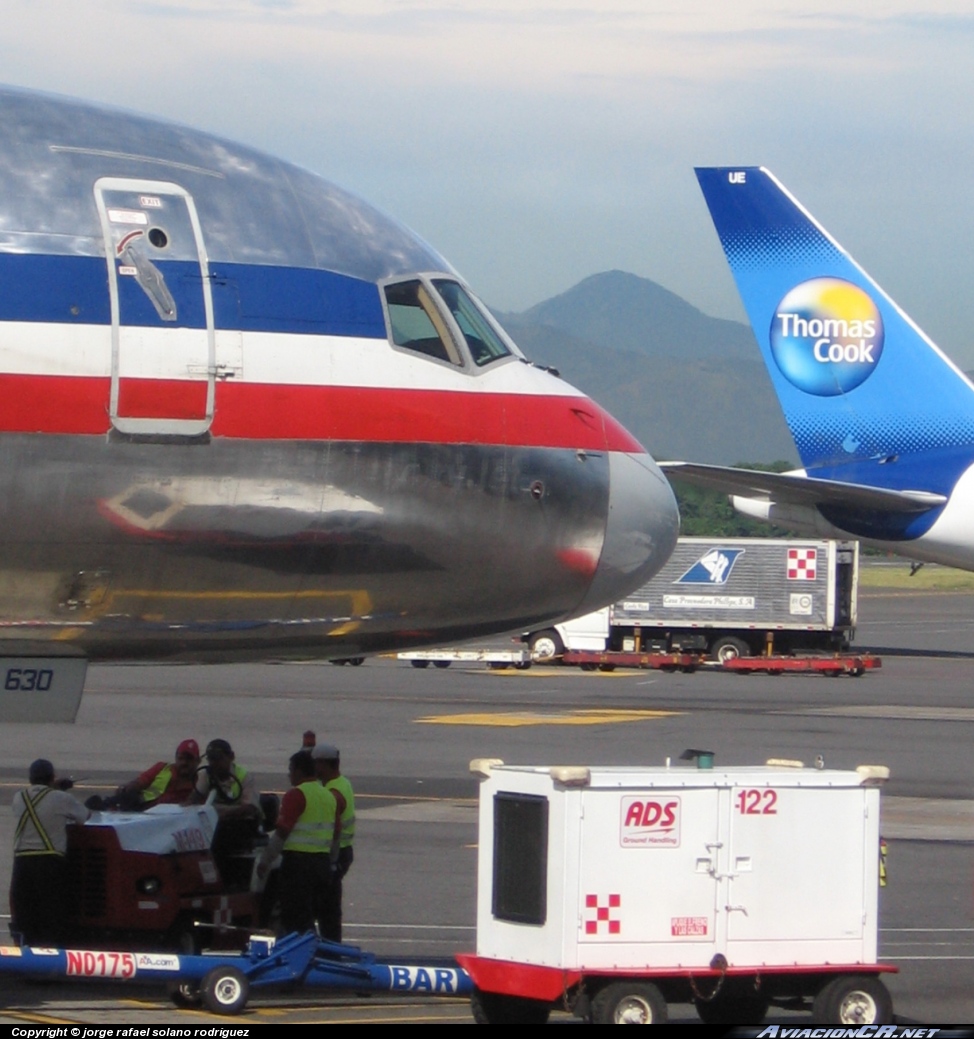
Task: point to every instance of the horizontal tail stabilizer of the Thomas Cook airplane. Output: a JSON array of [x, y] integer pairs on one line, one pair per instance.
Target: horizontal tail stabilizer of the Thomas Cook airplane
[[792, 489]]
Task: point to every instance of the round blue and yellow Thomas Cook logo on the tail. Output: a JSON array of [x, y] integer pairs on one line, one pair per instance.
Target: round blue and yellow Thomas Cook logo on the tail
[[827, 336]]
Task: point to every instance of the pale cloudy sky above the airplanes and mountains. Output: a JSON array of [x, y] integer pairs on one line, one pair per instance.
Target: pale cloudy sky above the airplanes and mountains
[[538, 142]]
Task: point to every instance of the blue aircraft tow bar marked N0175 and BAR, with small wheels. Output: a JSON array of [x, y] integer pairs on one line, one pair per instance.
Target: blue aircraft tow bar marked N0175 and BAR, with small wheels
[[223, 983]]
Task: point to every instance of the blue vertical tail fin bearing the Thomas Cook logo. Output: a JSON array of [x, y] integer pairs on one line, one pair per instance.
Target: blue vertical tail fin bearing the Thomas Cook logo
[[859, 383]]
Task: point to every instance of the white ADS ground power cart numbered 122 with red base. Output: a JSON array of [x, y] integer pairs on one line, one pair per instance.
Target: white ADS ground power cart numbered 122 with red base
[[613, 892]]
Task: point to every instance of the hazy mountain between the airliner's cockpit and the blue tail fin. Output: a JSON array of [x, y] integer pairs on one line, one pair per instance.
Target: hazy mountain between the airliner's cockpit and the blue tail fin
[[689, 386]]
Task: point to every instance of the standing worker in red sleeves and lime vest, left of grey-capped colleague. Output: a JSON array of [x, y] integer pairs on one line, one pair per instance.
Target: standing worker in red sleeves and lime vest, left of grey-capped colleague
[[304, 839]]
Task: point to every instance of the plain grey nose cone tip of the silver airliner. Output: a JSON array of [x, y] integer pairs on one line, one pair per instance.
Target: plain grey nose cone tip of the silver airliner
[[641, 530]]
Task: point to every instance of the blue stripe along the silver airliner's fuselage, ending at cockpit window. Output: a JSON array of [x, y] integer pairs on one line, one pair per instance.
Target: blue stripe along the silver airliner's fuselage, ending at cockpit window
[[249, 298]]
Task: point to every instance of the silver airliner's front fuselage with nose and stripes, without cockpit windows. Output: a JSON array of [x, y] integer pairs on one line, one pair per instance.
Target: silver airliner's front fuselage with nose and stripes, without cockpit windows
[[202, 504]]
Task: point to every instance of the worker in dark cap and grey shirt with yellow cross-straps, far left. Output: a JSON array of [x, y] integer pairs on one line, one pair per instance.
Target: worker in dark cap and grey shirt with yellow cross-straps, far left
[[39, 888]]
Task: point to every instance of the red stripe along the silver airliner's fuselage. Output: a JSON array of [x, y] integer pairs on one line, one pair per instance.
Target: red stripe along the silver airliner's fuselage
[[74, 405]]
